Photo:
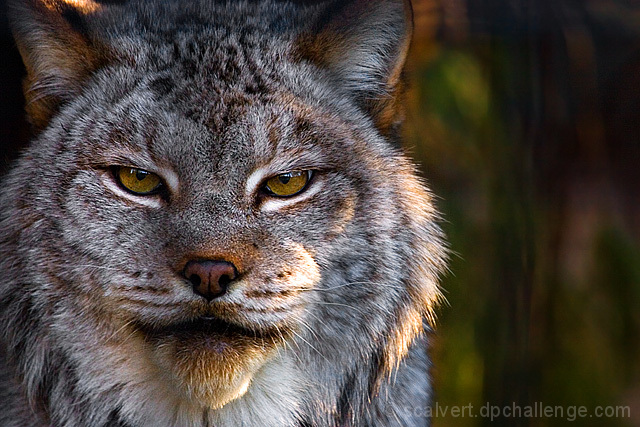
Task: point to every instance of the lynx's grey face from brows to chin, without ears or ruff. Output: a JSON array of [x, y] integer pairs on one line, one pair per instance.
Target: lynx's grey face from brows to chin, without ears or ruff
[[212, 206]]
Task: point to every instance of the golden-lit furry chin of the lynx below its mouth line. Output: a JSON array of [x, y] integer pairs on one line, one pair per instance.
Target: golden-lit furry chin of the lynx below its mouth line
[[211, 361]]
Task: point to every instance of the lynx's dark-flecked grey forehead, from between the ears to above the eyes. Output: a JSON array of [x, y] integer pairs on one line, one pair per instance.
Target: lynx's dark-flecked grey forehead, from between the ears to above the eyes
[[215, 82]]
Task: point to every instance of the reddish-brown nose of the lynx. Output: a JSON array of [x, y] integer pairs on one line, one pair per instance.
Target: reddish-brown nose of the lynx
[[209, 278]]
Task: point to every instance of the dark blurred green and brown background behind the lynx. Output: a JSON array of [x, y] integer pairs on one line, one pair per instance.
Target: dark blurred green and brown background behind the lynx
[[525, 118]]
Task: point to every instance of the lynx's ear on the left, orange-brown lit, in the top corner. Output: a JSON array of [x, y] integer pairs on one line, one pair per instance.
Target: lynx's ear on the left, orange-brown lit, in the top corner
[[56, 50]]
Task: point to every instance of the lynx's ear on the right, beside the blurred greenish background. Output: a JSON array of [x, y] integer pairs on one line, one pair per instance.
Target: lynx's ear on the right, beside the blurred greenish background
[[365, 44]]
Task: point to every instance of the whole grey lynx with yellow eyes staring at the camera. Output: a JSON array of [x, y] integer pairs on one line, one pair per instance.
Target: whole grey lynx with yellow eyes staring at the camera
[[215, 224]]
